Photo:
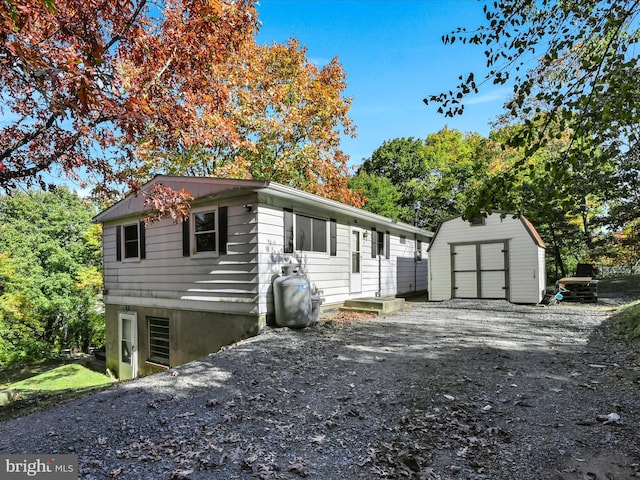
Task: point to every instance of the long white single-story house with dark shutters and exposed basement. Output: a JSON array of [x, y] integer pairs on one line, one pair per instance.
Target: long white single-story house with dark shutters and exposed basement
[[176, 292]]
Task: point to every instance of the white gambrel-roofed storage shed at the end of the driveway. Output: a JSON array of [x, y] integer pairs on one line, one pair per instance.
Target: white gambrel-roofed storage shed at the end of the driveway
[[497, 256]]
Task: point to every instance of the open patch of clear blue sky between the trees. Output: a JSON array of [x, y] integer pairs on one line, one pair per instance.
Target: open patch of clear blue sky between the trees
[[393, 55]]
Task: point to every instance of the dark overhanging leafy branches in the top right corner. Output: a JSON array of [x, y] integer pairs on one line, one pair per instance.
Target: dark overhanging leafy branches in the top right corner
[[573, 68]]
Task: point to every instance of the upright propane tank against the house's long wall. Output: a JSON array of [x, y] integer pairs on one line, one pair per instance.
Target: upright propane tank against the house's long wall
[[292, 298]]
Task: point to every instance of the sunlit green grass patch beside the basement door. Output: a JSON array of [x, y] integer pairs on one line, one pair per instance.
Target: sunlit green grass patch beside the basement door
[[22, 394]]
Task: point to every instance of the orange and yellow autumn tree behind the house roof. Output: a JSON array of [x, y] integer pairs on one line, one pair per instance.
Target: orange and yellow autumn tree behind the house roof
[[289, 115]]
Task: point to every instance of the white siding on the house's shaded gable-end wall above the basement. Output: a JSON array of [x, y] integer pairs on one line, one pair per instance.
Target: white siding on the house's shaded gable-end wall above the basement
[[228, 283]]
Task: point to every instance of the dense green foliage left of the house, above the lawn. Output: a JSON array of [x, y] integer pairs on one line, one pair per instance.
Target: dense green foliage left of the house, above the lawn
[[50, 271]]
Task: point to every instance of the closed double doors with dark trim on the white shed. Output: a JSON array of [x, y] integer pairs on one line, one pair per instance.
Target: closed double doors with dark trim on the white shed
[[480, 270]]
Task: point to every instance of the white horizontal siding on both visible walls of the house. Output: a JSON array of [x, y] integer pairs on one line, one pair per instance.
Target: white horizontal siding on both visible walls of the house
[[240, 280]]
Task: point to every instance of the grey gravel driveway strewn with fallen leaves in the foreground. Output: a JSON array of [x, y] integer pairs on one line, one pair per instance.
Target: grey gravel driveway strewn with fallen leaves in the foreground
[[452, 390]]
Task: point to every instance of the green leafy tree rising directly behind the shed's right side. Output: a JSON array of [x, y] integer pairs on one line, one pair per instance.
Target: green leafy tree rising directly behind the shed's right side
[[564, 205]]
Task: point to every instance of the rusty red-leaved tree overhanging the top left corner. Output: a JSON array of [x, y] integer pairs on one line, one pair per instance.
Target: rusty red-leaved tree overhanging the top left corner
[[84, 82]]
